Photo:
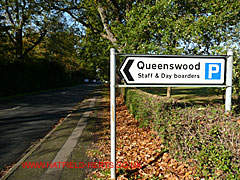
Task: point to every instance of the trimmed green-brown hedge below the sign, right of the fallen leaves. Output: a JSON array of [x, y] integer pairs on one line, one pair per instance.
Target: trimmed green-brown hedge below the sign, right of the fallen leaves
[[199, 134]]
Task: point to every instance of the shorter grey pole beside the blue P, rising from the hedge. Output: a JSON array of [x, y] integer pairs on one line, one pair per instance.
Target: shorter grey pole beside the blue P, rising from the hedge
[[228, 95]]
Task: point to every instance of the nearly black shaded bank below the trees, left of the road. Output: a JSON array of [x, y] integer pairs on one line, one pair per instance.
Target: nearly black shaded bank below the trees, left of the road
[[34, 75]]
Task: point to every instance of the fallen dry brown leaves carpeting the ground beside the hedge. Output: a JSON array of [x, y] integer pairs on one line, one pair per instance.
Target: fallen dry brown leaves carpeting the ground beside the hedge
[[140, 146]]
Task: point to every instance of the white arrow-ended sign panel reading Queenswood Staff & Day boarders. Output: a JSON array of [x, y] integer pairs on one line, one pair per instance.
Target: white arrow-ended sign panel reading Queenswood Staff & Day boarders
[[182, 70]]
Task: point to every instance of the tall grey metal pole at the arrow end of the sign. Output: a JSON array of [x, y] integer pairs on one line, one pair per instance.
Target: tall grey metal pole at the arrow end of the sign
[[113, 110]]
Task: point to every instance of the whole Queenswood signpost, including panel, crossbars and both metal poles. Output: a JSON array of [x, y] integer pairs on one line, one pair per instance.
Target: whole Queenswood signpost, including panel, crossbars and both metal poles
[[168, 71]]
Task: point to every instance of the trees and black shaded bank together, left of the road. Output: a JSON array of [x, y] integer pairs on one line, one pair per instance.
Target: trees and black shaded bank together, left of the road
[[38, 49]]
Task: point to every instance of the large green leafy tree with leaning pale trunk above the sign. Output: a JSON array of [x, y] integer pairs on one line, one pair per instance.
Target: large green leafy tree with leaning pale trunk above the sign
[[160, 27]]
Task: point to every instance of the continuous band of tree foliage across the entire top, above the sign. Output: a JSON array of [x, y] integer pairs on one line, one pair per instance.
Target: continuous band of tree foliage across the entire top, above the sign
[[50, 29]]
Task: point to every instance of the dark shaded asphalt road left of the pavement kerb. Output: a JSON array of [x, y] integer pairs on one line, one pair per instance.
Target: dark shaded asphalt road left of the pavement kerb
[[26, 119]]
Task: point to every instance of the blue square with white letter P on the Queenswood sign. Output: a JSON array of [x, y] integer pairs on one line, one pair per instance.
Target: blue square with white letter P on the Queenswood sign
[[213, 71]]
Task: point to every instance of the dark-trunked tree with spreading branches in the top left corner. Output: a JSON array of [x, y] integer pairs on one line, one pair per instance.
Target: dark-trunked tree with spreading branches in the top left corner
[[25, 24]]
